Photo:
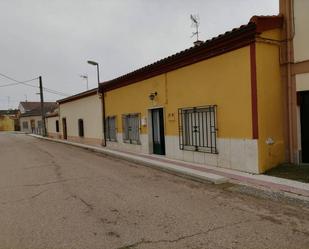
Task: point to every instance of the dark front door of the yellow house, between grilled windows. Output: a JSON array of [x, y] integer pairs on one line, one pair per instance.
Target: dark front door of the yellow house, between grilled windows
[[158, 131]]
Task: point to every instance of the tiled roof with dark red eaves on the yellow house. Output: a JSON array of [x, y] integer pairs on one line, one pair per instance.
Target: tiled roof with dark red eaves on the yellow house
[[228, 41]]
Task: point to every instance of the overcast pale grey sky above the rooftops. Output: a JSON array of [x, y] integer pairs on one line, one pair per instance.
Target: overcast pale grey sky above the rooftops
[[55, 38]]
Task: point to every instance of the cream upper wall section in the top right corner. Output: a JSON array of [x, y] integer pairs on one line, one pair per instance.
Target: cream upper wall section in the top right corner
[[301, 39]]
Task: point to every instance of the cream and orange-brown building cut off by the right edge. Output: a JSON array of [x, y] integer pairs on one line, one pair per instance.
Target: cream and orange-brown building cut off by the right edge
[[295, 75]]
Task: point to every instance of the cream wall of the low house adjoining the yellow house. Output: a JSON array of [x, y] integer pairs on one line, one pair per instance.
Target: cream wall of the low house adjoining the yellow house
[[88, 109]]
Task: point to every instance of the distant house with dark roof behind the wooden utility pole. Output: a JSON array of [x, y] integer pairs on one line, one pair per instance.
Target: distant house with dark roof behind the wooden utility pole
[[30, 115]]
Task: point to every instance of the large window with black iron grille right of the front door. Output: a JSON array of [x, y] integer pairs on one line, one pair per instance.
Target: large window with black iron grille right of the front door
[[197, 129]]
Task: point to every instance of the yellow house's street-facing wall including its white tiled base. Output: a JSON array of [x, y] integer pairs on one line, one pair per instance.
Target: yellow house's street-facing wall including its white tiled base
[[224, 80]]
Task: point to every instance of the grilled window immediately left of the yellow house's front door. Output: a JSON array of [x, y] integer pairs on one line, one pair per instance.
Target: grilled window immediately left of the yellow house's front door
[[131, 128]]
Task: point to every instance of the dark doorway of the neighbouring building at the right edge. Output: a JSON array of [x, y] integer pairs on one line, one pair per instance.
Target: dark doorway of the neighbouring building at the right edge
[[304, 121]]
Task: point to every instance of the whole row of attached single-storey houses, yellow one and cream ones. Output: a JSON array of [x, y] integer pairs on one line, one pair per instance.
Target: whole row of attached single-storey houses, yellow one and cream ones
[[222, 103]]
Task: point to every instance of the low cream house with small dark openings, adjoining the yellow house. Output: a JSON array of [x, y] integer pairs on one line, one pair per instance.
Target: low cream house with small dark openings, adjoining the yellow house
[[80, 118]]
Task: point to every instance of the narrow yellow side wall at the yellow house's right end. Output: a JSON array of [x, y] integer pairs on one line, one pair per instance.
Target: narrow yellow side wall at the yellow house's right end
[[270, 106]]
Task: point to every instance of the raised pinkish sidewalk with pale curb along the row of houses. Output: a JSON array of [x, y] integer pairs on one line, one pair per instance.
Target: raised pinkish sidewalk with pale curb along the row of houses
[[286, 192]]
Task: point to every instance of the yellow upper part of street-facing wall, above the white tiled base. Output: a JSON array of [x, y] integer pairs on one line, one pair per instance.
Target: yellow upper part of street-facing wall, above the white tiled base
[[223, 80]]
